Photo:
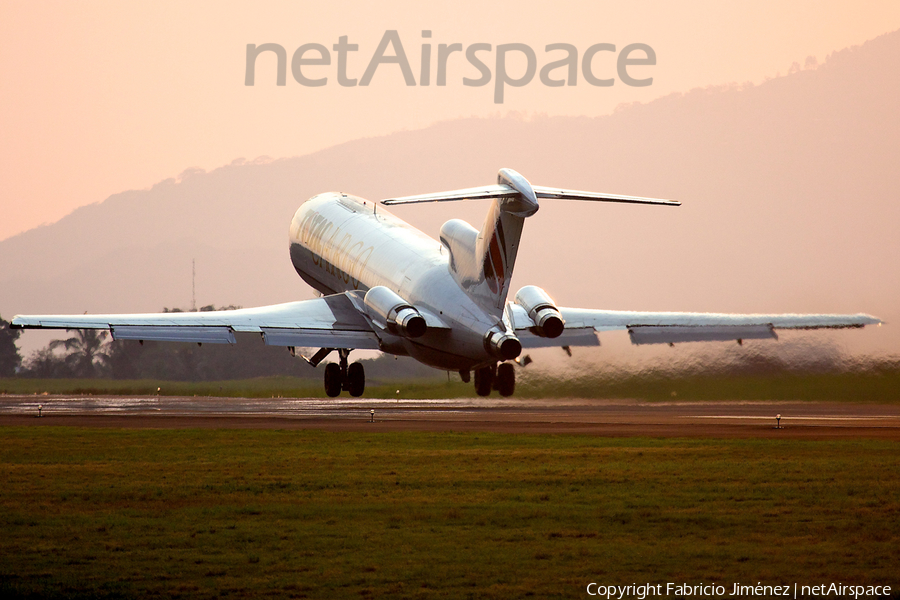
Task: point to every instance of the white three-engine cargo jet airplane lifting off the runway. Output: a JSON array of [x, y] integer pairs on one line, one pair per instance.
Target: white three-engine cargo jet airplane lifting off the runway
[[387, 286]]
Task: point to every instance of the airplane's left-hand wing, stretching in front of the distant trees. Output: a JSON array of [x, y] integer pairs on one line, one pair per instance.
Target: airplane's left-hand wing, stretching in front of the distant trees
[[328, 322]]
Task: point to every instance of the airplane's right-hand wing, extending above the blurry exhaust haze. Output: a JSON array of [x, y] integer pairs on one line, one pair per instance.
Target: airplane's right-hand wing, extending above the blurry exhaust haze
[[673, 327]]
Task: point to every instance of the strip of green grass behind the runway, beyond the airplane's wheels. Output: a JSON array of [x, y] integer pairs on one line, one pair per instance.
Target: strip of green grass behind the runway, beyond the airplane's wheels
[[874, 386]]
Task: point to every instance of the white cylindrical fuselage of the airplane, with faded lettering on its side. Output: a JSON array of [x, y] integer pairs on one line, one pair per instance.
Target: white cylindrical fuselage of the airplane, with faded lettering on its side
[[342, 243]]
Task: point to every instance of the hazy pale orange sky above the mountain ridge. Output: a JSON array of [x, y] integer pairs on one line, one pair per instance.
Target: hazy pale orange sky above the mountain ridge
[[100, 97]]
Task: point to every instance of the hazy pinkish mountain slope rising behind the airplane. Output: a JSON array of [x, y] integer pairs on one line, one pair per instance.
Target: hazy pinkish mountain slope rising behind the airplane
[[790, 192]]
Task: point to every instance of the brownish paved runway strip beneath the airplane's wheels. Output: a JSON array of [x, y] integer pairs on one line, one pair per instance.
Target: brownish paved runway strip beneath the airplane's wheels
[[811, 420]]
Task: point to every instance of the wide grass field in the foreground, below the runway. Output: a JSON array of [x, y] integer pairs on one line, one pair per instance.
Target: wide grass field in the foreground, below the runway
[[265, 513]]
